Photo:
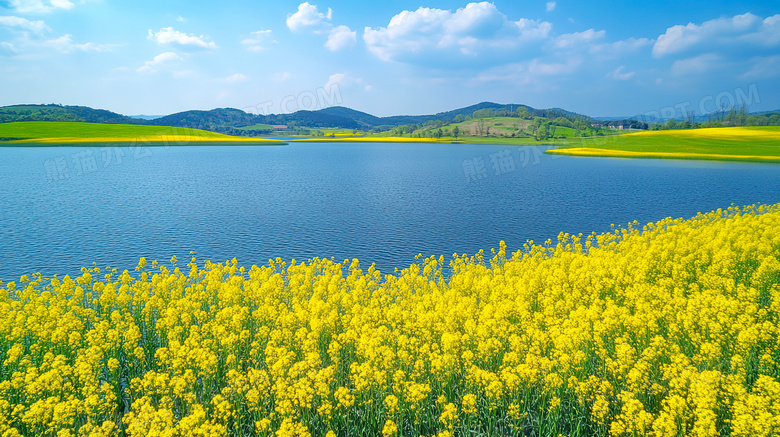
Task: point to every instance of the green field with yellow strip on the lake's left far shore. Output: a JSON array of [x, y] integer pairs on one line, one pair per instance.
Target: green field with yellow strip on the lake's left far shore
[[66, 133]]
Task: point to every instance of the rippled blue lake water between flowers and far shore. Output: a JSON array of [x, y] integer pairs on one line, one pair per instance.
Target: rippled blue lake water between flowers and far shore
[[62, 208]]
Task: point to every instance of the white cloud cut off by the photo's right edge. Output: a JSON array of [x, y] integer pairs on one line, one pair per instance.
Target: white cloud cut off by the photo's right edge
[[738, 31]]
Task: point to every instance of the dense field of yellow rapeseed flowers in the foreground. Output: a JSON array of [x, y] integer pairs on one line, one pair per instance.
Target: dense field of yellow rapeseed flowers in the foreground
[[663, 330]]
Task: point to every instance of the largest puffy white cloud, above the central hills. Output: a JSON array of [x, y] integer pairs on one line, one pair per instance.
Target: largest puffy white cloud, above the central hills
[[479, 30]]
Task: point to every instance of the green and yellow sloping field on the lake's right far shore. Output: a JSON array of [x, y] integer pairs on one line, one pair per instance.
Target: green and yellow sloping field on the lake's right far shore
[[758, 143]]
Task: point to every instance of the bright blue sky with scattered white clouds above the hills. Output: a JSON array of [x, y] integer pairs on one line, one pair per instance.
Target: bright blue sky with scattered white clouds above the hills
[[607, 58]]
